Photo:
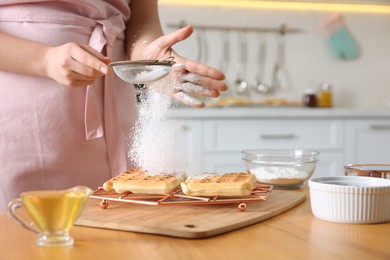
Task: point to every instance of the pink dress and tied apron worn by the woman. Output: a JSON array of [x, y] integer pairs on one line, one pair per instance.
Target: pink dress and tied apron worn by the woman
[[52, 136]]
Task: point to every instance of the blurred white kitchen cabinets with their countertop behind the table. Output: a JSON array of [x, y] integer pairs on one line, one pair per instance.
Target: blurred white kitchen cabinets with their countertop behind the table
[[215, 138]]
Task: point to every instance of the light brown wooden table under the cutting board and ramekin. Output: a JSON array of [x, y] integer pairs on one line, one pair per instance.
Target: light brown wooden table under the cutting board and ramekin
[[295, 234]]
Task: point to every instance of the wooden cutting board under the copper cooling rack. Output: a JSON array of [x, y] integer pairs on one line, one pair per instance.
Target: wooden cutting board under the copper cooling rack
[[199, 221]]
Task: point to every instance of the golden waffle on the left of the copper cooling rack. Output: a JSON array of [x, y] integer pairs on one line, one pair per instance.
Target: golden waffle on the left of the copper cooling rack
[[137, 181]]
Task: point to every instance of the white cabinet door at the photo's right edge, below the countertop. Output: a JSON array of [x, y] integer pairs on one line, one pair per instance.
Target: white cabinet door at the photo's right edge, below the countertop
[[368, 141]]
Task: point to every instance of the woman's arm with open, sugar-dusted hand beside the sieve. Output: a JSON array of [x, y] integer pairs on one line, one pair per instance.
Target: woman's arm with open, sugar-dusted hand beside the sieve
[[145, 40]]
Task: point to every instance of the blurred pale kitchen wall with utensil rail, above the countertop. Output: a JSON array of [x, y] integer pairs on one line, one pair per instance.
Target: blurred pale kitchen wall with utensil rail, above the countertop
[[242, 38]]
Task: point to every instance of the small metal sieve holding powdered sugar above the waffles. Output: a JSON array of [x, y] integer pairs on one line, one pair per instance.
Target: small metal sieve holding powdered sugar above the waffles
[[142, 71]]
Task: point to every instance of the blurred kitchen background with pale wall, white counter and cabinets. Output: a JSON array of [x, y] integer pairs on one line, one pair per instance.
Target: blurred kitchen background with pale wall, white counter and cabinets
[[353, 57]]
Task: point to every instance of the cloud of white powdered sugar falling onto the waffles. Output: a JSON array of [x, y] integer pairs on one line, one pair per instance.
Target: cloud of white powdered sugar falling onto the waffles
[[156, 146]]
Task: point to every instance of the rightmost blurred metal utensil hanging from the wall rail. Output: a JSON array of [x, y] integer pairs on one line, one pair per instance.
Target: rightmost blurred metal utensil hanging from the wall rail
[[279, 76]]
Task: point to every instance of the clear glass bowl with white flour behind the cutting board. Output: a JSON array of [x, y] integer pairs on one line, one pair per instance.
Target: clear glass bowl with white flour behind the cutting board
[[287, 169]]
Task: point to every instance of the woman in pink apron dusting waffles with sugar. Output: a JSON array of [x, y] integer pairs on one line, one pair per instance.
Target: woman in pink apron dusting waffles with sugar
[[64, 116]]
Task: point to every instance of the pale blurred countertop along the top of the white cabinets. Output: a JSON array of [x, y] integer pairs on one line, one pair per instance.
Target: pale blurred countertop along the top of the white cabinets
[[267, 112]]
